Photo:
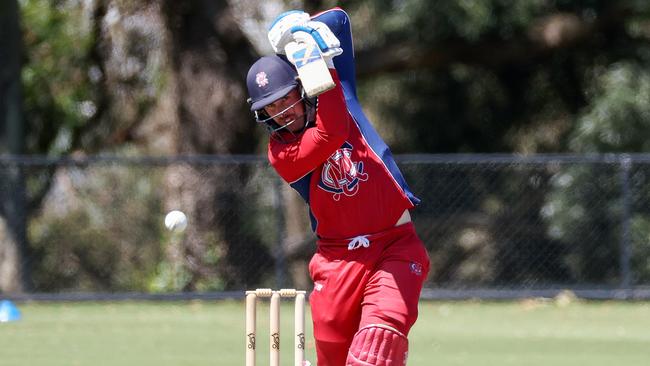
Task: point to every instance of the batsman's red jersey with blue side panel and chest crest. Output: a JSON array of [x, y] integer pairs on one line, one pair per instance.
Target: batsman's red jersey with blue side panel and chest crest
[[349, 187]]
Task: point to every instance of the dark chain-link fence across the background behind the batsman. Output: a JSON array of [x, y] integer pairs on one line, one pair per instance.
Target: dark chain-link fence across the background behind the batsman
[[490, 223]]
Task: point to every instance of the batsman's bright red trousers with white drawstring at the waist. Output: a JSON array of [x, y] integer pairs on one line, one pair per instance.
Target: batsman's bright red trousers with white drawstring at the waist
[[375, 279]]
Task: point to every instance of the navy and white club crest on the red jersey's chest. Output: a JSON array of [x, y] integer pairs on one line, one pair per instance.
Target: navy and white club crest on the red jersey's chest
[[341, 175]]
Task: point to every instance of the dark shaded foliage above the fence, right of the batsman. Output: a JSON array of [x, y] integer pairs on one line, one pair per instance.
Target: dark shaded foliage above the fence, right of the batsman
[[489, 76]]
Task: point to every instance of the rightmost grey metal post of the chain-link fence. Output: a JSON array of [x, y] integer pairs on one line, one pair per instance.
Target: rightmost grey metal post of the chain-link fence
[[625, 256]]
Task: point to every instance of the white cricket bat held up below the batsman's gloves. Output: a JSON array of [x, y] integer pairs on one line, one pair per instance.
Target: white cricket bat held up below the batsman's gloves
[[312, 69]]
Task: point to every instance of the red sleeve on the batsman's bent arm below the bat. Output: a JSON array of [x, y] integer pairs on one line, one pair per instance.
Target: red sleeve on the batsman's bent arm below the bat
[[294, 160]]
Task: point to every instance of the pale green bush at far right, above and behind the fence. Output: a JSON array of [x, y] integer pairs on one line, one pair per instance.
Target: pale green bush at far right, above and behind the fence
[[617, 121]]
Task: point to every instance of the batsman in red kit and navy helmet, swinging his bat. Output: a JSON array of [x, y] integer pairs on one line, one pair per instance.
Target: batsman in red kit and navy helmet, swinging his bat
[[370, 265]]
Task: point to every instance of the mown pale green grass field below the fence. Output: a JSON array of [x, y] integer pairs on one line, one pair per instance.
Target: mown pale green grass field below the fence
[[211, 333]]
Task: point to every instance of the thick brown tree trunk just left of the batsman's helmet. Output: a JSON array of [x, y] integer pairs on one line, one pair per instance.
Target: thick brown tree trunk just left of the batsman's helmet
[[210, 58]]
